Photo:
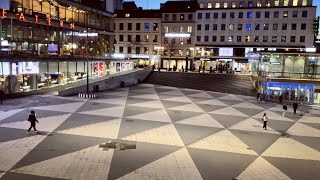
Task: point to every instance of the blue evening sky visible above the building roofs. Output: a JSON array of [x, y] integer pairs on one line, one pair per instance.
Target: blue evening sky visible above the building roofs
[[155, 4]]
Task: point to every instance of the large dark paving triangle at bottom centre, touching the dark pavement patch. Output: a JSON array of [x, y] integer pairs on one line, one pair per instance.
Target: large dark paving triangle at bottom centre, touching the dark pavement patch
[[124, 162]]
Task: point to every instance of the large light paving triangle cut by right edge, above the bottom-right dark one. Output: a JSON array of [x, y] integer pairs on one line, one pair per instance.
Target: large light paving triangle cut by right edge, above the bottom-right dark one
[[289, 148]]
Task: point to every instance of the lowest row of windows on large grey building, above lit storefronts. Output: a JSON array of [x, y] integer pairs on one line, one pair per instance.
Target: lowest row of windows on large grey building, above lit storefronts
[[282, 39]]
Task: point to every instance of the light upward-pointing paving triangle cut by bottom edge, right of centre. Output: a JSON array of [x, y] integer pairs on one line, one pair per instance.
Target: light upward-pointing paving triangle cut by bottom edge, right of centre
[[261, 169]]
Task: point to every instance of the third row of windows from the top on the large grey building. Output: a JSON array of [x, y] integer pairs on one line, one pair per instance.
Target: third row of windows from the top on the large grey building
[[249, 27]]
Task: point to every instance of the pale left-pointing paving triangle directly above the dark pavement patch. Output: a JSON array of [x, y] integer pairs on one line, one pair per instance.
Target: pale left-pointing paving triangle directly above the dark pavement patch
[[107, 129]]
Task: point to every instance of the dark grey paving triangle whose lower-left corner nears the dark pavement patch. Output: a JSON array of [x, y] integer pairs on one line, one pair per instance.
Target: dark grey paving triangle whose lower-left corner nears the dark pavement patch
[[133, 126]]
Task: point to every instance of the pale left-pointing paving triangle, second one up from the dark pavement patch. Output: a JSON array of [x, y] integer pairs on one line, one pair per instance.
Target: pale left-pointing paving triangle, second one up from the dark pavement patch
[[112, 112]]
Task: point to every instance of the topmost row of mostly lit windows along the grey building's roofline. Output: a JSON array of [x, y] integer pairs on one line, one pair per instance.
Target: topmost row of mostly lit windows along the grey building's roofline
[[251, 4]]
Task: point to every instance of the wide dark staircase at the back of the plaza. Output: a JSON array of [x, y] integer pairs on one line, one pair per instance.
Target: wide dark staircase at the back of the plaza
[[230, 83]]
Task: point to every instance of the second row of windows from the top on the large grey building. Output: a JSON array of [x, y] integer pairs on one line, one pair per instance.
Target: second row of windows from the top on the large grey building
[[249, 15]]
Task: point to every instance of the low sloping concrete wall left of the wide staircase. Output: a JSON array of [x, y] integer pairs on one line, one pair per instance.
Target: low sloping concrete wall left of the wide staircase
[[128, 78]]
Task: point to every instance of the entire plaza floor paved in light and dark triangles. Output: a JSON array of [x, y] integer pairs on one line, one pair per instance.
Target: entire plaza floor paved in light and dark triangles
[[160, 133]]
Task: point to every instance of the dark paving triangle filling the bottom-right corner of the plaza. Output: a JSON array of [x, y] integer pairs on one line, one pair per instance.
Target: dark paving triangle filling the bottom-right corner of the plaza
[[296, 168]]
